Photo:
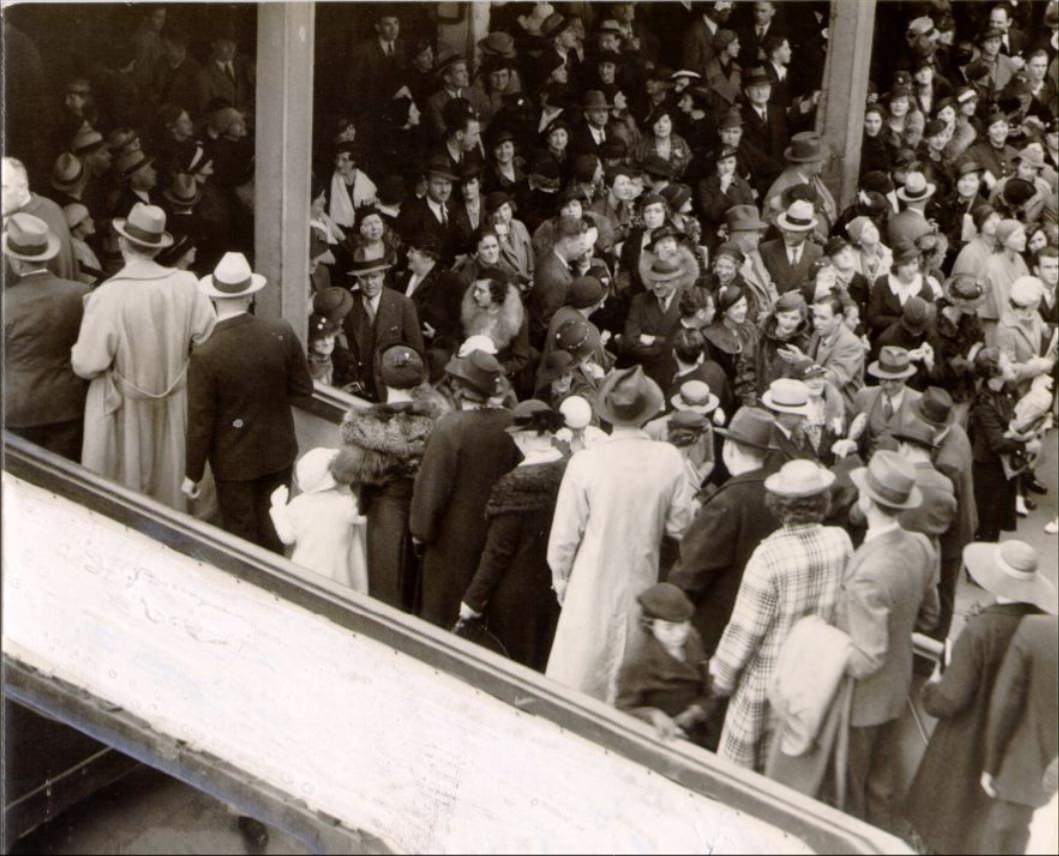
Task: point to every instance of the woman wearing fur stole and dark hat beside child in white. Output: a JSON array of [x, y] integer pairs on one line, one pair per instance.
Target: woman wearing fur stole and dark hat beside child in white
[[393, 437]]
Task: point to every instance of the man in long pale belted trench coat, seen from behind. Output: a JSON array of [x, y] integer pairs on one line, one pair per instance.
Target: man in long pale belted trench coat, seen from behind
[[133, 347]]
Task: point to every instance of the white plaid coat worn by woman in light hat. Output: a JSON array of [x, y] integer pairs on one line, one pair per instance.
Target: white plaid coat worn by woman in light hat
[[796, 572]]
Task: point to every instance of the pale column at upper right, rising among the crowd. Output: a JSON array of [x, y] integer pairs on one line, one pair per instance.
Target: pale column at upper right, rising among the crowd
[[840, 119]]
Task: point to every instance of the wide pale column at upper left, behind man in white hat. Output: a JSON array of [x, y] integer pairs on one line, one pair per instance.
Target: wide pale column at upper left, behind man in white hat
[[283, 160]]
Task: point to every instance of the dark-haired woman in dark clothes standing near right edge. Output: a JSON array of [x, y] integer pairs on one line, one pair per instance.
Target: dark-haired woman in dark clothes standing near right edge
[[999, 450]]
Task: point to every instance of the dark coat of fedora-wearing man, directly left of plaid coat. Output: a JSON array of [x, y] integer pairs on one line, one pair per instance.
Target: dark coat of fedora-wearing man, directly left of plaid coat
[[716, 548]]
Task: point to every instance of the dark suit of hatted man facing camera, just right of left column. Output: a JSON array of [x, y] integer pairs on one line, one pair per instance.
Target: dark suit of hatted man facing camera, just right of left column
[[396, 324]]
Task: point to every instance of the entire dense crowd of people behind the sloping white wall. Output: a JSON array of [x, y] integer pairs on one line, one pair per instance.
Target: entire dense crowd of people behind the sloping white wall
[[641, 405]]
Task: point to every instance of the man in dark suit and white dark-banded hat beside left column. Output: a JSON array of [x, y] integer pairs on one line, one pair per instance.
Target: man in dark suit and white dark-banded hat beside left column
[[241, 383]]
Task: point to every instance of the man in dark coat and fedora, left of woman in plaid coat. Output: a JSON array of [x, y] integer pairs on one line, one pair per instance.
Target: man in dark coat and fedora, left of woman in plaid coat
[[728, 528]]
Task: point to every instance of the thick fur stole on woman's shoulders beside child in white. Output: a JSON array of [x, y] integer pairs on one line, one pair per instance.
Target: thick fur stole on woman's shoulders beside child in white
[[392, 437]]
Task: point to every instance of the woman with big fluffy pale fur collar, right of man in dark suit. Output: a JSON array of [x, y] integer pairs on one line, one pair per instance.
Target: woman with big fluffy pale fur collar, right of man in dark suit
[[493, 308]]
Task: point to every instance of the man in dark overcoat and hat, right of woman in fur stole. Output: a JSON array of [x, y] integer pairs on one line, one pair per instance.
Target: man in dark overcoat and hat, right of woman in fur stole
[[466, 455]]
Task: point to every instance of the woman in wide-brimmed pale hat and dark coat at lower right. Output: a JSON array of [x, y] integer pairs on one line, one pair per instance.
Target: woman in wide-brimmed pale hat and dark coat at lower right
[[946, 804]]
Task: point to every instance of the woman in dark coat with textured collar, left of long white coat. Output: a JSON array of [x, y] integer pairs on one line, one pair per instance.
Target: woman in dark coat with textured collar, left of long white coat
[[512, 590]]
